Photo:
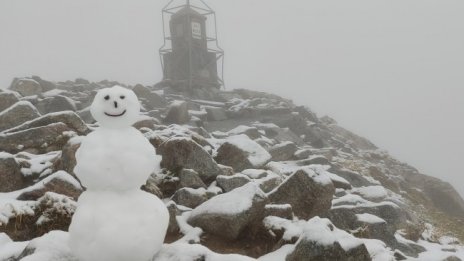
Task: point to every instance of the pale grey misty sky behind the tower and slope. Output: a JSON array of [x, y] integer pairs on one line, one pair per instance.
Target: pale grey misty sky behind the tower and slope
[[391, 71]]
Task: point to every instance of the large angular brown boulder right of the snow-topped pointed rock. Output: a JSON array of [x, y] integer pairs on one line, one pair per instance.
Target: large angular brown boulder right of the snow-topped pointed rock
[[309, 193]]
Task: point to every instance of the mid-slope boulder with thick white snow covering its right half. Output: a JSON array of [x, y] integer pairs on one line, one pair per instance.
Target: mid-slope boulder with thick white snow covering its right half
[[240, 152]]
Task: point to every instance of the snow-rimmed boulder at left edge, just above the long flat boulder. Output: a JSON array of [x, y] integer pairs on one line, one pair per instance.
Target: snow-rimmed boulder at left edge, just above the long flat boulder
[[17, 114]]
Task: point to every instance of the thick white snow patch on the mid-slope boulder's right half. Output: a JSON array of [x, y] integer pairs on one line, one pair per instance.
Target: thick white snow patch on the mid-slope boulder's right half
[[257, 155]]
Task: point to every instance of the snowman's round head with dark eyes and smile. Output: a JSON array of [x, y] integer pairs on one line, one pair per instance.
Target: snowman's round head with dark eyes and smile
[[115, 107]]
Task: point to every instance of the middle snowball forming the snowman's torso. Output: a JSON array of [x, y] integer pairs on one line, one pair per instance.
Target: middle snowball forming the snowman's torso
[[115, 159]]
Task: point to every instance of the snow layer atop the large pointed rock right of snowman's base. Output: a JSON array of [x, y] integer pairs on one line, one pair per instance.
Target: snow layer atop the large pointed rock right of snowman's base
[[233, 202]]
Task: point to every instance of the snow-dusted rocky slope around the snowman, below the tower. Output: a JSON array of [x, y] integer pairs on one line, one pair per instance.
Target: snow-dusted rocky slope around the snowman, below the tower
[[246, 175]]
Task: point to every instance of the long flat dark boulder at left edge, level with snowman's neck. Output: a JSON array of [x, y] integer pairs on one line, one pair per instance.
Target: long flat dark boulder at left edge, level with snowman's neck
[[38, 140]]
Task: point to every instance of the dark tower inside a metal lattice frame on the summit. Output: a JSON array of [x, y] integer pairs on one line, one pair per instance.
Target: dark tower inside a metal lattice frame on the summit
[[191, 56]]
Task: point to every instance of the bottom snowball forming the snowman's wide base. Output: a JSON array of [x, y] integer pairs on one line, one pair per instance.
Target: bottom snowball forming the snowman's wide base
[[118, 226]]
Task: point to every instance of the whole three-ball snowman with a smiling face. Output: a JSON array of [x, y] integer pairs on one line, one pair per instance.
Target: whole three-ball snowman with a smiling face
[[115, 220]]
